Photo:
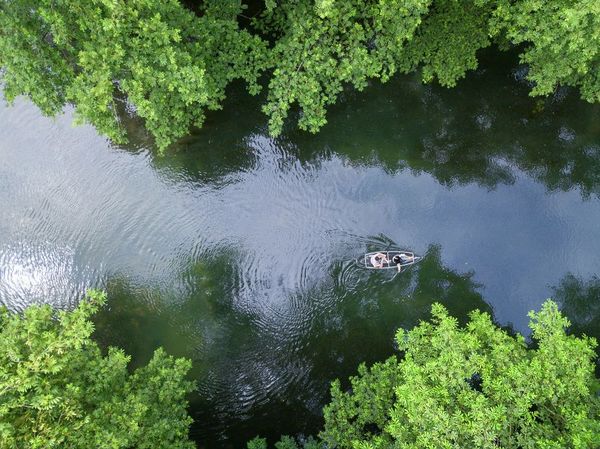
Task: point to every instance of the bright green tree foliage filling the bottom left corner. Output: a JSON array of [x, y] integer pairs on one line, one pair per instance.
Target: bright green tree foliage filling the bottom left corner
[[57, 389]]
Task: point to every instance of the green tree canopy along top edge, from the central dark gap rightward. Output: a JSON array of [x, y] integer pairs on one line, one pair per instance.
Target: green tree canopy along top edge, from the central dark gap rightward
[[323, 44]]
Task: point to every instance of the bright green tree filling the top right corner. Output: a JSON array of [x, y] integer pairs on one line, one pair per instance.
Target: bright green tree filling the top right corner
[[561, 40]]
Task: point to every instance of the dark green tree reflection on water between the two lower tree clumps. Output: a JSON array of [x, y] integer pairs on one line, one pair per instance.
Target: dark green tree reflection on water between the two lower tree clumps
[[256, 376]]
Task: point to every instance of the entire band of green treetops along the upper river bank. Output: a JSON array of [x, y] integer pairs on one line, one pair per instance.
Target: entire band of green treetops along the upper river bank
[[170, 65]]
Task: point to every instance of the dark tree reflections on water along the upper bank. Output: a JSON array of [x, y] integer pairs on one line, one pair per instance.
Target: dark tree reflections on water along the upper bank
[[478, 132]]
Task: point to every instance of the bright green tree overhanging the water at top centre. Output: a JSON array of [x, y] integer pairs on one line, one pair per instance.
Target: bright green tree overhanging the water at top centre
[[322, 45]]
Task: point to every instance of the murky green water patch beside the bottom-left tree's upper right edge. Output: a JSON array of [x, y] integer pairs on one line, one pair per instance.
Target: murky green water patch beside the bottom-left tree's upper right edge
[[183, 317]]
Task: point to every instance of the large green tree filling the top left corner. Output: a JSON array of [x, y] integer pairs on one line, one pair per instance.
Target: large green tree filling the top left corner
[[166, 63]]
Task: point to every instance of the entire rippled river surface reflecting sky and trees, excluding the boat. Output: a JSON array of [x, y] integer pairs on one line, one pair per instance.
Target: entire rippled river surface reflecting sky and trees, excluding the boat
[[238, 250]]
